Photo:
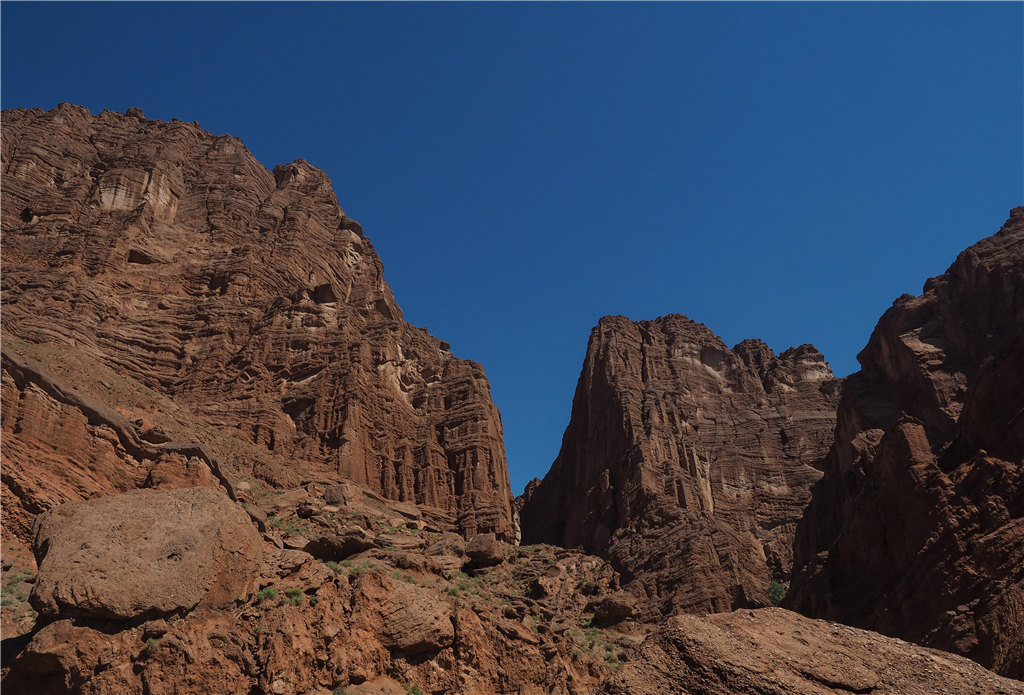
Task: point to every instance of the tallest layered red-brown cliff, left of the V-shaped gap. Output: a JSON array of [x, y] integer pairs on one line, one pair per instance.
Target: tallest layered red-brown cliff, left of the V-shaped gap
[[244, 298]]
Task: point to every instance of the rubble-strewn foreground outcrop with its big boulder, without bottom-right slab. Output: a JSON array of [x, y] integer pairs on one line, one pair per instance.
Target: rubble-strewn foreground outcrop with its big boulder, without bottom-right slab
[[409, 612]]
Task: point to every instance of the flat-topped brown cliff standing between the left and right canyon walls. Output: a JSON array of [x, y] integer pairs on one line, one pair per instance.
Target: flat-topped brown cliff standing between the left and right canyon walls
[[686, 464]]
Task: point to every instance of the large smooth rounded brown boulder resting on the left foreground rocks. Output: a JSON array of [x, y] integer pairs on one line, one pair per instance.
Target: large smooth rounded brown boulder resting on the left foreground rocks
[[144, 554]]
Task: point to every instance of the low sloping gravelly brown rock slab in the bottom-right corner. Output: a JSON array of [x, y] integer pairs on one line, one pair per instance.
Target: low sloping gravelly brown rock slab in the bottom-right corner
[[775, 653]]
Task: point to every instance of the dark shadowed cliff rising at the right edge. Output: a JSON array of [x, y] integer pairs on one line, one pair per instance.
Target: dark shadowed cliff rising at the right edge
[[916, 531]]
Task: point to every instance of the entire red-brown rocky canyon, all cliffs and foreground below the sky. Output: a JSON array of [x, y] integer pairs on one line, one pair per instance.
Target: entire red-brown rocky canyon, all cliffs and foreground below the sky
[[230, 465]]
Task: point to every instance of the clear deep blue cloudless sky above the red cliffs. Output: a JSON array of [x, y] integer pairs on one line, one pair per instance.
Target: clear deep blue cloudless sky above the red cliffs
[[775, 171]]
